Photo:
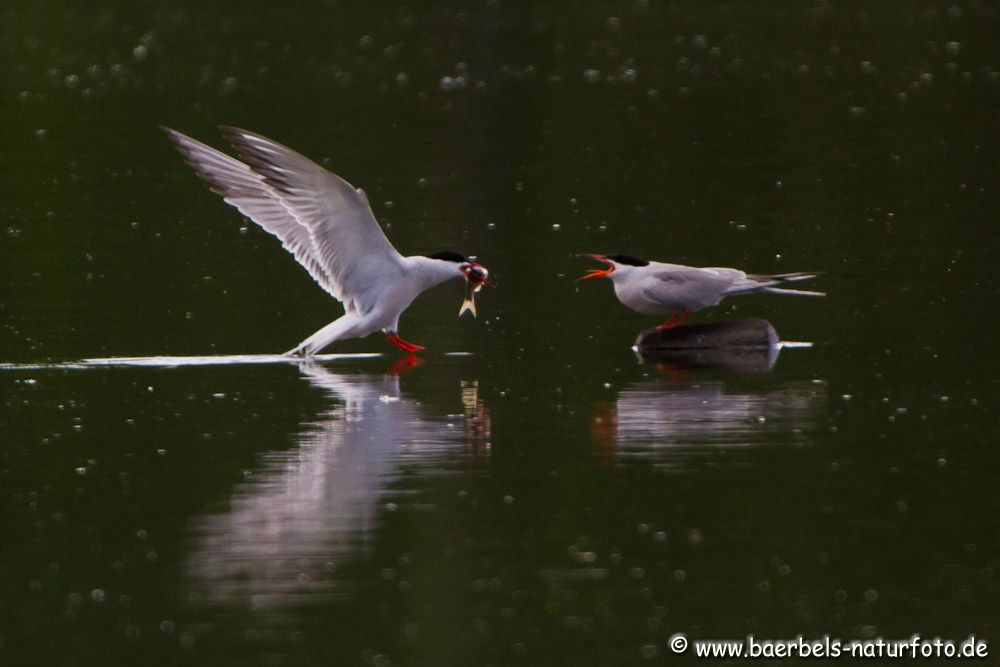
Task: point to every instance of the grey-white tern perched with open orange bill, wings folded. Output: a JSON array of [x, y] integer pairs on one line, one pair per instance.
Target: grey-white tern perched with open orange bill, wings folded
[[655, 288]]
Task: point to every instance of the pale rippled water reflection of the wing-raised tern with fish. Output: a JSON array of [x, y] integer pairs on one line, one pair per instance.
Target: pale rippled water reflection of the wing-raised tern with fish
[[304, 511]]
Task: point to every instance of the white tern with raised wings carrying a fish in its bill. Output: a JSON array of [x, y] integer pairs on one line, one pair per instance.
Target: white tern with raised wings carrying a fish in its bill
[[328, 226]]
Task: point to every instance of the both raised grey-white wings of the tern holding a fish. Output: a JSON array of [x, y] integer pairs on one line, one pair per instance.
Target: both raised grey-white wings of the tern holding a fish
[[321, 219]]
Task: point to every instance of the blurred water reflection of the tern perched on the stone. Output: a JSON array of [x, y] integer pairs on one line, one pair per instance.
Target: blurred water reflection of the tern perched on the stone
[[677, 421]]
